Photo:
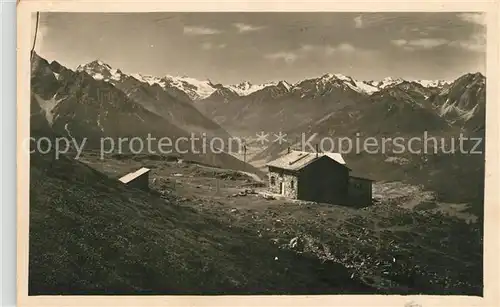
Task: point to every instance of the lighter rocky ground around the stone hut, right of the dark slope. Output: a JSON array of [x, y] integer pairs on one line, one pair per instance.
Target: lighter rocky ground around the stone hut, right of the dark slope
[[405, 243]]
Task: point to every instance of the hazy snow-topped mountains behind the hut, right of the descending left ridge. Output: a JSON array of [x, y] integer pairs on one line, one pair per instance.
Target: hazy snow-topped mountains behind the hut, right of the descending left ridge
[[282, 107]]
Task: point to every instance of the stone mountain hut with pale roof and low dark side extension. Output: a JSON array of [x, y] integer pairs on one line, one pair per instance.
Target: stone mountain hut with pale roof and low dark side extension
[[318, 177]]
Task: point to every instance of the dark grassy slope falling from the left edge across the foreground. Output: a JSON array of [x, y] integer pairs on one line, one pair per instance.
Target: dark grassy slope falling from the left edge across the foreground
[[90, 235]]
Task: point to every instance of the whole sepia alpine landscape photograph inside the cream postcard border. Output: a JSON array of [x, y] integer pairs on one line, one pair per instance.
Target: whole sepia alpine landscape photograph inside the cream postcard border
[[256, 153]]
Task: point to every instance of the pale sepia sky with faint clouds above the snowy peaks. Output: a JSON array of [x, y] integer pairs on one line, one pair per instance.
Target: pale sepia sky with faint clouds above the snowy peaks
[[261, 47]]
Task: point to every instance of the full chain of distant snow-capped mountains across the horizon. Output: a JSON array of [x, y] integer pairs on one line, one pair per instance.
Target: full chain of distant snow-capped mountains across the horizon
[[168, 96]]
